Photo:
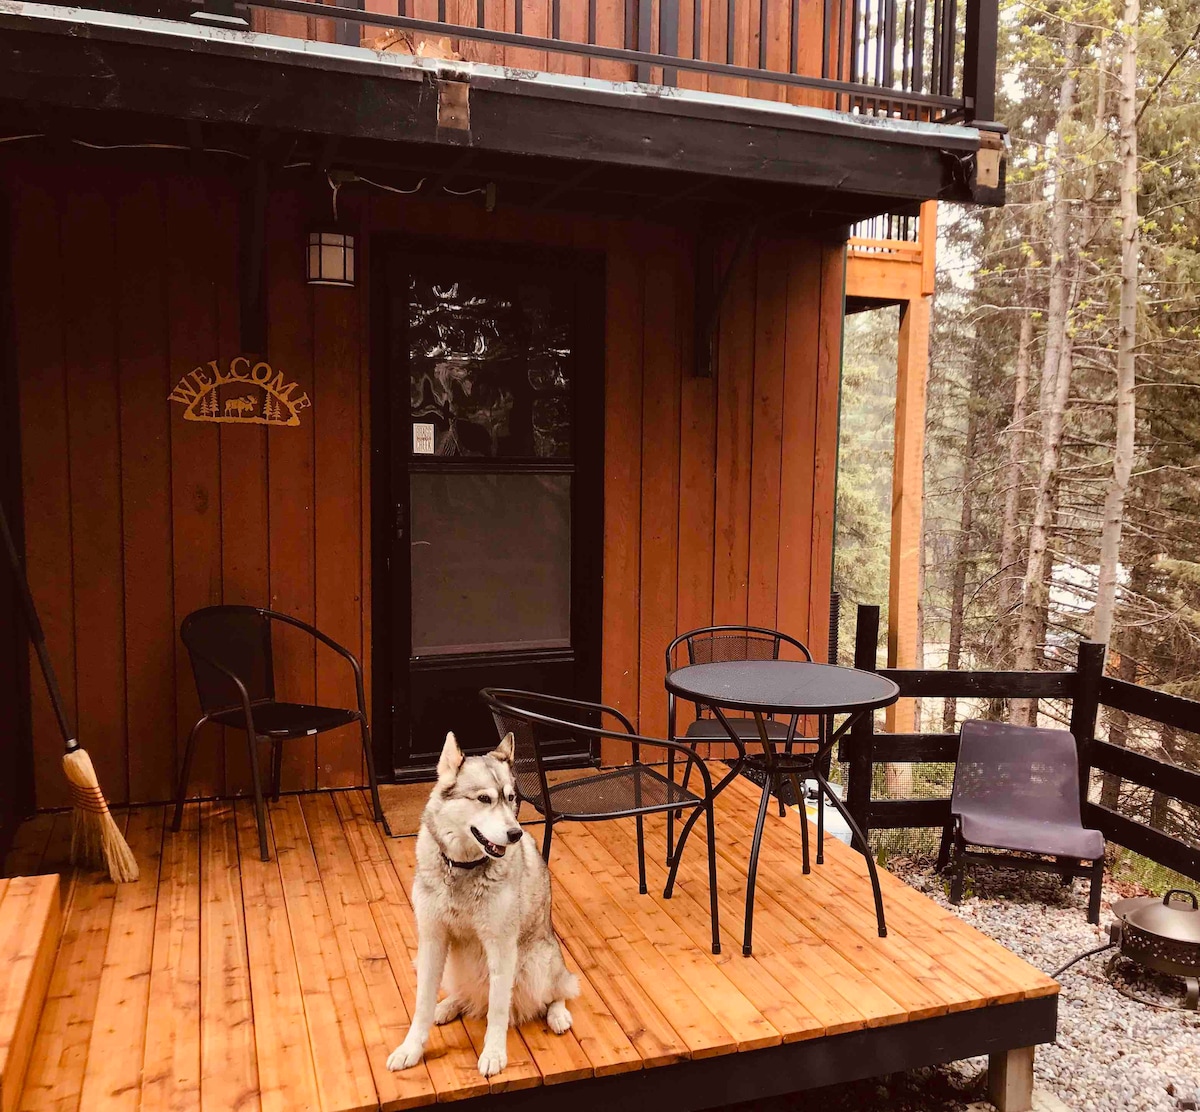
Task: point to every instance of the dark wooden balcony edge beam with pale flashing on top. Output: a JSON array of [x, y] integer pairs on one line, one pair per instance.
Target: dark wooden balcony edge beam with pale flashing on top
[[767, 155]]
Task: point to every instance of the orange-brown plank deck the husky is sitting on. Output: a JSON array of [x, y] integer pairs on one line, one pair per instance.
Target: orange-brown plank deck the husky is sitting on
[[224, 983]]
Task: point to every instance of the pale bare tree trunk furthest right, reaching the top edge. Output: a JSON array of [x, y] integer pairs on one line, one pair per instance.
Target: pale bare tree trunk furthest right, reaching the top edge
[[1127, 335]]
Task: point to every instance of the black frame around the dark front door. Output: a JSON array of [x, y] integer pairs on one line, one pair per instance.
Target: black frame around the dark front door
[[387, 656]]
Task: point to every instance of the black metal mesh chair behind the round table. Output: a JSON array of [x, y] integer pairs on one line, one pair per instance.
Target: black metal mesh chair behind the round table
[[717, 644]]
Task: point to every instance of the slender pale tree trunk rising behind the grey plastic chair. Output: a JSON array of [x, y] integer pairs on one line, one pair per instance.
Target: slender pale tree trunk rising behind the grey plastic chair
[[1057, 366]]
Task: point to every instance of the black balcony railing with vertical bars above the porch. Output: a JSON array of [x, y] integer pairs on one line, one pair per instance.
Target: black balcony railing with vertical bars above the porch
[[909, 59]]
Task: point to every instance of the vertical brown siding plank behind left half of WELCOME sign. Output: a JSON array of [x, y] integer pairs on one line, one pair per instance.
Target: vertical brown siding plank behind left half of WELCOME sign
[[195, 455]]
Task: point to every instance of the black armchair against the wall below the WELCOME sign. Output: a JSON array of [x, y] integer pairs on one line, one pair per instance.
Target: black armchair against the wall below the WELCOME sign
[[235, 670]]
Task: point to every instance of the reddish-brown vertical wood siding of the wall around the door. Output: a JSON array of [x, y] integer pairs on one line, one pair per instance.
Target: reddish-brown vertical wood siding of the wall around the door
[[718, 492]]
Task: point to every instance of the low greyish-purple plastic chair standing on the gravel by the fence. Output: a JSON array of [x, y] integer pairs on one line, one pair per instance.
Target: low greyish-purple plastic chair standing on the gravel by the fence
[[1017, 791]]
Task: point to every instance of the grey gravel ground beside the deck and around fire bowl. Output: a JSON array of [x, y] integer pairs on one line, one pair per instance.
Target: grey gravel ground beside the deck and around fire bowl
[[1113, 1055]]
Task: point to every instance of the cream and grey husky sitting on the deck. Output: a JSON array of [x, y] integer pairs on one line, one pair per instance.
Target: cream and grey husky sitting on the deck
[[482, 899]]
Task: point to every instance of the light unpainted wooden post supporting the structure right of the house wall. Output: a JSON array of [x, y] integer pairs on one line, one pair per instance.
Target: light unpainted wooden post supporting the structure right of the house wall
[[908, 476]]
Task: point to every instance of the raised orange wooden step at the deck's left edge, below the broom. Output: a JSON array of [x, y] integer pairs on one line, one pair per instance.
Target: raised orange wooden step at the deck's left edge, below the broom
[[31, 929]]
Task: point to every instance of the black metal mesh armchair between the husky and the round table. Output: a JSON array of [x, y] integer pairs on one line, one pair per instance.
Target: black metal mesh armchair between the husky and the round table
[[633, 790]]
